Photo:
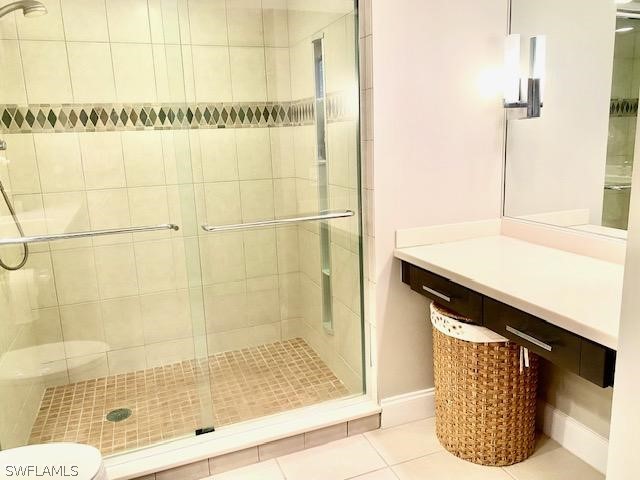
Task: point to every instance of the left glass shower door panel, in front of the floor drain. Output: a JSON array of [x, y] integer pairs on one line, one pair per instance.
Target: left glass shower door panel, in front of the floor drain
[[102, 335]]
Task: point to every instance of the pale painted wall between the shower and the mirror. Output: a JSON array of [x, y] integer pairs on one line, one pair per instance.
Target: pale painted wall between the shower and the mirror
[[437, 141]]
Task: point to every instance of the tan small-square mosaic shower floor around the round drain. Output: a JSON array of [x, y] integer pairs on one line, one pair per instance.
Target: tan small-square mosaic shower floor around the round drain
[[167, 402]]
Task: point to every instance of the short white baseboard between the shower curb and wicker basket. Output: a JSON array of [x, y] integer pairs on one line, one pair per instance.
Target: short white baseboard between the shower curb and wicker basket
[[408, 407]]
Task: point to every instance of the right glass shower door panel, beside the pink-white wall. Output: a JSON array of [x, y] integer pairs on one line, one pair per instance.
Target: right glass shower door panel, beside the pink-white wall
[[280, 243]]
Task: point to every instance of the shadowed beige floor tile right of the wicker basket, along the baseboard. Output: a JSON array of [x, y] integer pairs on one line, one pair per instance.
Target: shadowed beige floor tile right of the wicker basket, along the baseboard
[[552, 462]]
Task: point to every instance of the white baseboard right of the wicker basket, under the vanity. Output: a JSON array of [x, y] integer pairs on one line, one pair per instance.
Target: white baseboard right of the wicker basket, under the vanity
[[574, 436]]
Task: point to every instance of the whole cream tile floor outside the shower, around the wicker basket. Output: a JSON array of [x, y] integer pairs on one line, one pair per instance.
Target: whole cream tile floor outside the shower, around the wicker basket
[[408, 452]]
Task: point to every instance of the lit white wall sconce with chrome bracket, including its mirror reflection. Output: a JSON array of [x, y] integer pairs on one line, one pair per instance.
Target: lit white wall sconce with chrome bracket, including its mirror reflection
[[513, 82]]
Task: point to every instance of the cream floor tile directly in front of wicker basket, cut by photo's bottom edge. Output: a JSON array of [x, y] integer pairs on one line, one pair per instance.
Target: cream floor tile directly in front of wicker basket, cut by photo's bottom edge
[[445, 466]]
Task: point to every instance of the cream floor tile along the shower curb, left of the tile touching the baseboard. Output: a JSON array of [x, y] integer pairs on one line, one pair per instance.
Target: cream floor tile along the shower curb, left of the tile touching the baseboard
[[338, 460]]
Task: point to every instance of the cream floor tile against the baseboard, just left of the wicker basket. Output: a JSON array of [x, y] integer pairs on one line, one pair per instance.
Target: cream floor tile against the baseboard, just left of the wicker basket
[[406, 442]]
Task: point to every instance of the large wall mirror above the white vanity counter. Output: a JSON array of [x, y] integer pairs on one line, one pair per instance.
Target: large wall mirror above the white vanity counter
[[571, 166]]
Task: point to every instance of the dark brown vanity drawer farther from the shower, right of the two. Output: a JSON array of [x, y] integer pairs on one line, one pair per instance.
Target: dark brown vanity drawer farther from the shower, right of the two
[[557, 345]]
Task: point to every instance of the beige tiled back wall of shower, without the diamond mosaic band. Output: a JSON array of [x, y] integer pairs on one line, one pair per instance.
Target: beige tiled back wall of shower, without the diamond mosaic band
[[135, 297]]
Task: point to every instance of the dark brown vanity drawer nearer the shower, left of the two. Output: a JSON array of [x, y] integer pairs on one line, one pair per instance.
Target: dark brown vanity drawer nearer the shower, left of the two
[[447, 293]]
